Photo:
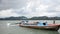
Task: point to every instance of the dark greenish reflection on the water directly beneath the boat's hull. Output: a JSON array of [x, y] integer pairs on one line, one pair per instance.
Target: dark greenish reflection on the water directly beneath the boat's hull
[[36, 31]]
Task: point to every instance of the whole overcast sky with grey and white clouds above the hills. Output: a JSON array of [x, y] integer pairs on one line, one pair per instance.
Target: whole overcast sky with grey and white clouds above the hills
[[29, 8]]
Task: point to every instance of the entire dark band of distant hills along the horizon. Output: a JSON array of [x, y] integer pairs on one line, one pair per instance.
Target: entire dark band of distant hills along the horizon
[[33, 18]]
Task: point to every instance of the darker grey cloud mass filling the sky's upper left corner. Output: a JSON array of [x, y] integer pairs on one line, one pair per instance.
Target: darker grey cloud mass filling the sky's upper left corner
[[15, 4]]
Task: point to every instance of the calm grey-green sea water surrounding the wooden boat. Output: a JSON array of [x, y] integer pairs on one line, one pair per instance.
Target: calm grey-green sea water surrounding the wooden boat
[[8, 27]]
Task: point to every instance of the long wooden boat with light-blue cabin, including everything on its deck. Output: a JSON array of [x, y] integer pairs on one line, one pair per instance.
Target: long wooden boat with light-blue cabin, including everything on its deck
[[39, 25]]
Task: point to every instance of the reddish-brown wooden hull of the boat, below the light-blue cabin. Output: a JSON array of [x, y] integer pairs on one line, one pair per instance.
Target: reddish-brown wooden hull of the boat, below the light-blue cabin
[[54, 27]]
